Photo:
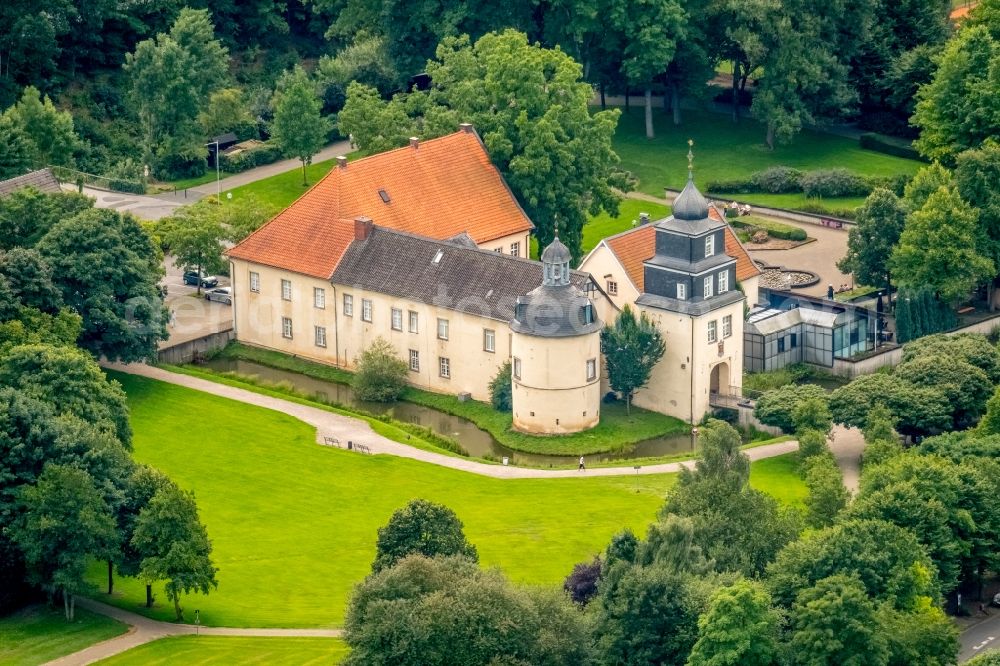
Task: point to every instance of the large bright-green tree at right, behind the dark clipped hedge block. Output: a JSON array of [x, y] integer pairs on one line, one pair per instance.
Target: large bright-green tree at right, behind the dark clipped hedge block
[[938, 248]]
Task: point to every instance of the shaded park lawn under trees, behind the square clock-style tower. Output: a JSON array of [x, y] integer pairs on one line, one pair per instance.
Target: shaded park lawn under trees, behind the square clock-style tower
[[727, 151]]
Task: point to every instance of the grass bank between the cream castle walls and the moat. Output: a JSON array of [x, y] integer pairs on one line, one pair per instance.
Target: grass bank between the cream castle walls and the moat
[[617, 430]]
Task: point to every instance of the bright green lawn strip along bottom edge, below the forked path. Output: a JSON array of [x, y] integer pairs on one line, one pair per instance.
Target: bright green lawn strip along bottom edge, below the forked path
[[226, 650]]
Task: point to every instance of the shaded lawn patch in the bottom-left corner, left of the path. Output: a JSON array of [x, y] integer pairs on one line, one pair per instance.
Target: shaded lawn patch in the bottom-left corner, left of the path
[[38, 634]]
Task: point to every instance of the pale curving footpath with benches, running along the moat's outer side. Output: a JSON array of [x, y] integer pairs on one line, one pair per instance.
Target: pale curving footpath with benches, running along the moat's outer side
[[346, 428]]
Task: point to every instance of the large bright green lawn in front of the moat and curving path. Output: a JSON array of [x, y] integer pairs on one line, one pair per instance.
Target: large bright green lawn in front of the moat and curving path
[[293, 524]]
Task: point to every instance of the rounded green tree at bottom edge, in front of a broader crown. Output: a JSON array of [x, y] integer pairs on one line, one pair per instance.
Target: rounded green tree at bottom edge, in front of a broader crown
[[834, 622]]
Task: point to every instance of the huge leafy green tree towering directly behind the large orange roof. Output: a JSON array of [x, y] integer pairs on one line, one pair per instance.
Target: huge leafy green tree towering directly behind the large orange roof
[[530, 107]]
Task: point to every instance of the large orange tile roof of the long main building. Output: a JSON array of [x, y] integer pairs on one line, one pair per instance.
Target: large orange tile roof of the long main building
[[442, 188]]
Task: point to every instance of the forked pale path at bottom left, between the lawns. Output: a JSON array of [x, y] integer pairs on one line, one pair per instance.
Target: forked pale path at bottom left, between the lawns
[[145, 630]]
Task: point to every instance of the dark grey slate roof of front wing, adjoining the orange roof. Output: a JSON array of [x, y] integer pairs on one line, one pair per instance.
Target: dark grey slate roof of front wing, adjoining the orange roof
[[465, 279]]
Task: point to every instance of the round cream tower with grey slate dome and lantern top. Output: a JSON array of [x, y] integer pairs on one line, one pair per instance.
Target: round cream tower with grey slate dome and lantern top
[[556, 353]]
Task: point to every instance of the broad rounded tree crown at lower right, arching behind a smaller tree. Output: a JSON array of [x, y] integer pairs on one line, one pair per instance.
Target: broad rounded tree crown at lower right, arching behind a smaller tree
[[886, 558]]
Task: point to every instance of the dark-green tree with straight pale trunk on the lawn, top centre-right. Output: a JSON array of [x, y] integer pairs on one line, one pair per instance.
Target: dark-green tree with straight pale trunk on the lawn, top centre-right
[[653, 28]]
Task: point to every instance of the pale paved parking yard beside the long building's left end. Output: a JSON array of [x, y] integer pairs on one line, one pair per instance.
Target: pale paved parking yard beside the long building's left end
[[193, 315]]
